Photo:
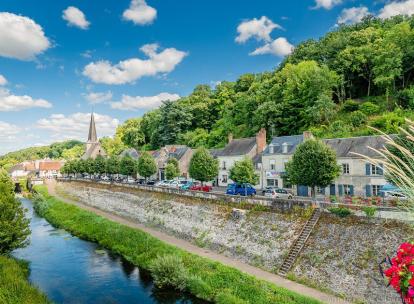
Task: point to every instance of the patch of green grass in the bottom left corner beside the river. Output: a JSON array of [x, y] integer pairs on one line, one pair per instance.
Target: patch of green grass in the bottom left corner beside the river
[[14, 286]]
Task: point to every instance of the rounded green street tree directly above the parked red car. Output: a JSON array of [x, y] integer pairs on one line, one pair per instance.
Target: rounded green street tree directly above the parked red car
[[203, 166]]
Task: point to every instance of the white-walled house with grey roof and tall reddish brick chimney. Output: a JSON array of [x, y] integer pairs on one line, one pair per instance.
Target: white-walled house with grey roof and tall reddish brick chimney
[[236, 150]]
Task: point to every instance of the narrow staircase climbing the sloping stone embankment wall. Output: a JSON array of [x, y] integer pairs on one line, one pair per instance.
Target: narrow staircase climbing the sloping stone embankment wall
[[300, 242]]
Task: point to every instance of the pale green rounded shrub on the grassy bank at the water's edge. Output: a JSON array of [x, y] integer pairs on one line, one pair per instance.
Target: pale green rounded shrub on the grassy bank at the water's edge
[[169, 271]]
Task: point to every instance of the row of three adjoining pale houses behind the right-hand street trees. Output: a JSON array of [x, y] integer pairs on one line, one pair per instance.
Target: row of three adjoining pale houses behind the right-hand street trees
[[358, 177]]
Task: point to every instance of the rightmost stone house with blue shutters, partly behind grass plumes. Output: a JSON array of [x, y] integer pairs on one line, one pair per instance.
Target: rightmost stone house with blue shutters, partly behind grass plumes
[[358, 177]]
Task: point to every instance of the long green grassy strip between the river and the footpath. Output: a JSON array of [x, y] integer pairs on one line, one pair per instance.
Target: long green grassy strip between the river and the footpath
[[204, 278]]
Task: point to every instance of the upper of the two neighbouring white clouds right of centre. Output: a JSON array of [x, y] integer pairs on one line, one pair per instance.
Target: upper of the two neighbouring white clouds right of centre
[[256, 28]]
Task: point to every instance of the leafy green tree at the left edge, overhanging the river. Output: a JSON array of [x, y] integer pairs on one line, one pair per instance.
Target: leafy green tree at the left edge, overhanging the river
[[14, 226]]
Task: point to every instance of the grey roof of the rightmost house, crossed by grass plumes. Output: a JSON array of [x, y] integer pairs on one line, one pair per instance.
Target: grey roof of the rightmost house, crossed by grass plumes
[[345, 147]]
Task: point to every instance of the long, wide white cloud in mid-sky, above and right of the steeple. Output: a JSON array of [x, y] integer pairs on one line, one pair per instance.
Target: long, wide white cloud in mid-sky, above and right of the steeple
[[132, 69]]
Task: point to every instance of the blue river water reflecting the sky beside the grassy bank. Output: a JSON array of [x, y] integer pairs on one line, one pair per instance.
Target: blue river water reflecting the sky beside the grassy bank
[[70, 270]]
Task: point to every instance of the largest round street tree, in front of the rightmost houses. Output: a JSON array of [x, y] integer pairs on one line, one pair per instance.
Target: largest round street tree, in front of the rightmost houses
[[313, 164]]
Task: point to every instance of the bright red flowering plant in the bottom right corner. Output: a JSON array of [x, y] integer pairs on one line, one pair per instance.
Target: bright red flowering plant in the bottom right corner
[[400, 274]]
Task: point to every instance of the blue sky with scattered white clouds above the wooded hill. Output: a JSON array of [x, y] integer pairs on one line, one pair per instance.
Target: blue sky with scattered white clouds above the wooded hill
[[58, 59]]
